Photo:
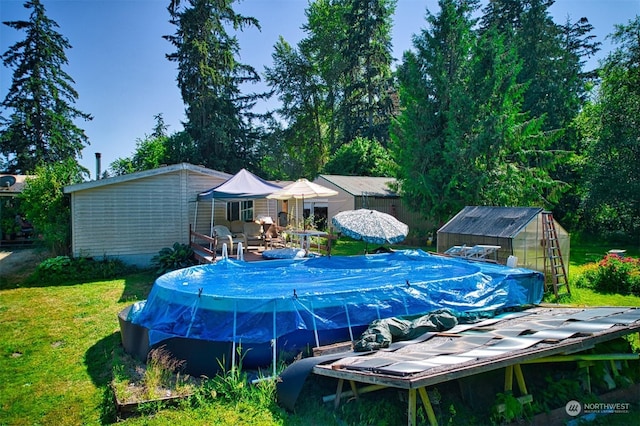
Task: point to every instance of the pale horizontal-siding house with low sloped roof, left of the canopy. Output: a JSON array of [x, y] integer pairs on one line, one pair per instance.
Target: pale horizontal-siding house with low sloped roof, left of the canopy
[[133, 216]]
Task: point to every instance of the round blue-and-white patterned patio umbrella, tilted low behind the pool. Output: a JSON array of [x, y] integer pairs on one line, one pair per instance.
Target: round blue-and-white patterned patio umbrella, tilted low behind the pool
[[370, 226]]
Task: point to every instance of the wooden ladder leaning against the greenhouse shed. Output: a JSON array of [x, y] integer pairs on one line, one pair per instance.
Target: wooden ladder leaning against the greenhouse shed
[[555, 272]]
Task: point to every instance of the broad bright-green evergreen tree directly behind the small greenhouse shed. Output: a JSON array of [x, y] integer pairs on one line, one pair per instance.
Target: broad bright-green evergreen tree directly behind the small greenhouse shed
[[463, 137]]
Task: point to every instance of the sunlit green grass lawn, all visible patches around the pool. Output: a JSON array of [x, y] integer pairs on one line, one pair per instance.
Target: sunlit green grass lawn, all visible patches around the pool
[[57, 345]]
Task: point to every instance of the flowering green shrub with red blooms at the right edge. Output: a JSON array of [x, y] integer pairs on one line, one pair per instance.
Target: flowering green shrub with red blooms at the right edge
[[613, 274]]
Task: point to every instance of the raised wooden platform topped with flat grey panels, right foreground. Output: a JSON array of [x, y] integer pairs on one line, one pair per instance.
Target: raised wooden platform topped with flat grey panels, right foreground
[[536, 335]]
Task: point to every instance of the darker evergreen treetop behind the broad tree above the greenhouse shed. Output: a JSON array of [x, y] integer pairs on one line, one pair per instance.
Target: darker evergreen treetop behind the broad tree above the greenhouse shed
[[552, 57]]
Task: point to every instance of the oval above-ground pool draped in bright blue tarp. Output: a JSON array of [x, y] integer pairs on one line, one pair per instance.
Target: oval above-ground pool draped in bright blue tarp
[[202, 313]]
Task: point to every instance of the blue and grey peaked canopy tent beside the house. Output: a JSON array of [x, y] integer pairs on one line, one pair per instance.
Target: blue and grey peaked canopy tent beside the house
[[242, 185]]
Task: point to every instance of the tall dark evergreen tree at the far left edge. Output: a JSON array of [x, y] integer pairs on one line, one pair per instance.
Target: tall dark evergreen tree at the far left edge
[[40, 127]]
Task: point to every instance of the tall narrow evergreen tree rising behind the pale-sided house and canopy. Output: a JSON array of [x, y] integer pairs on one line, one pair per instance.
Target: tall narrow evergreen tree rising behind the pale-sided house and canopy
[[209, 76]]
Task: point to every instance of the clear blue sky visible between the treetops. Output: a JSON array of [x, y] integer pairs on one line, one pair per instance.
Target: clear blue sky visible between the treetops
[[123, 79]]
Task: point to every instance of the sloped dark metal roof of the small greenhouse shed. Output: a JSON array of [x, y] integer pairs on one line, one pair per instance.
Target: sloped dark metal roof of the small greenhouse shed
[[501, 222]]
